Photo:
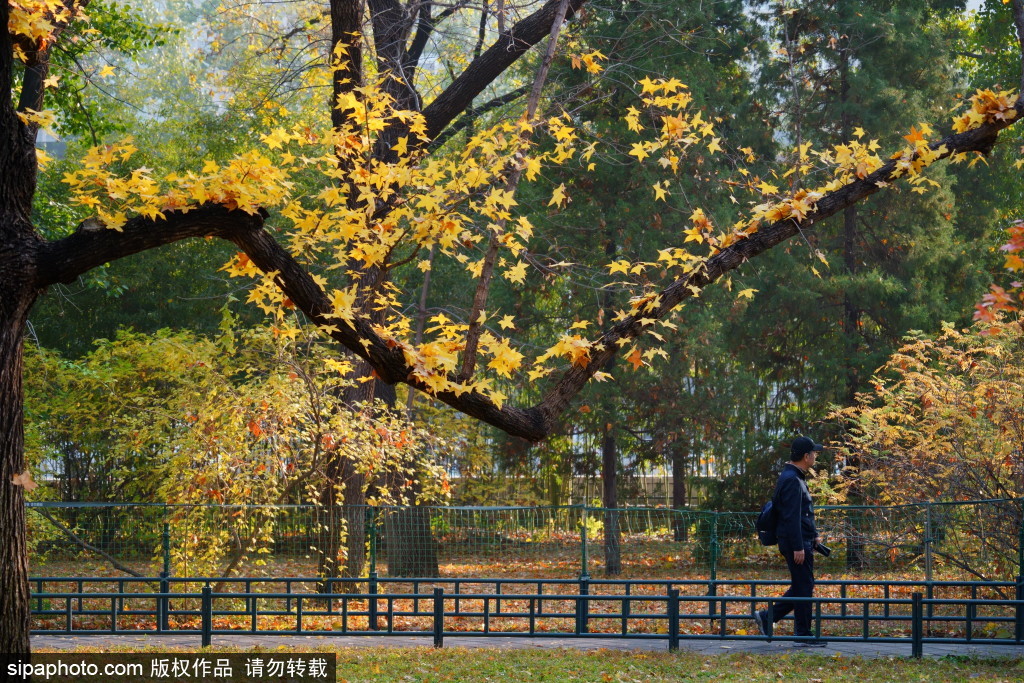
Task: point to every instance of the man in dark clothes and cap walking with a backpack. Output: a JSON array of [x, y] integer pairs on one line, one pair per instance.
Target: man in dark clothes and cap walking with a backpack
[[797, 539]]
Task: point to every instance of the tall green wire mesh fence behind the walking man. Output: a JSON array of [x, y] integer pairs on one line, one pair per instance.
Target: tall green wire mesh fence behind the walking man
[[982, 540]]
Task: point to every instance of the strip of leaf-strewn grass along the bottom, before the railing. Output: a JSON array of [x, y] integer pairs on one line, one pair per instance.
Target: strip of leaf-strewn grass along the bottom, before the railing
[[459, 665]]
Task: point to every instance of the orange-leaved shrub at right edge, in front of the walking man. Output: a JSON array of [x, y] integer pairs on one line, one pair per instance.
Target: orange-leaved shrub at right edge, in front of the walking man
[[945, 421]]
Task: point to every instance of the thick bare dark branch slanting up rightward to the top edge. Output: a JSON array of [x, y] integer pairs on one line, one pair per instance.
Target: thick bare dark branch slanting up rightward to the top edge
[[482, 72]]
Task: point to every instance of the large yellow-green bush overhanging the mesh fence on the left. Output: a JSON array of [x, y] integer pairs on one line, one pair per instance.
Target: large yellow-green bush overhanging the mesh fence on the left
[[247, 418]]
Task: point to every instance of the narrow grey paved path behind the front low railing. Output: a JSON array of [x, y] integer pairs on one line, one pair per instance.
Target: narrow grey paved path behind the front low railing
[[847, 649]]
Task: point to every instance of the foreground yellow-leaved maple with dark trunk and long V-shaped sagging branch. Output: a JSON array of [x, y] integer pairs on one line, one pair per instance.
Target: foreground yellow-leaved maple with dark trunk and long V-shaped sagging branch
[[385, 201]]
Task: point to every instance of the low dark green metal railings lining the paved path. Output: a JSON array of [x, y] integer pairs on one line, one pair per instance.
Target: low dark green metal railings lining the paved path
[[891, 612]]
